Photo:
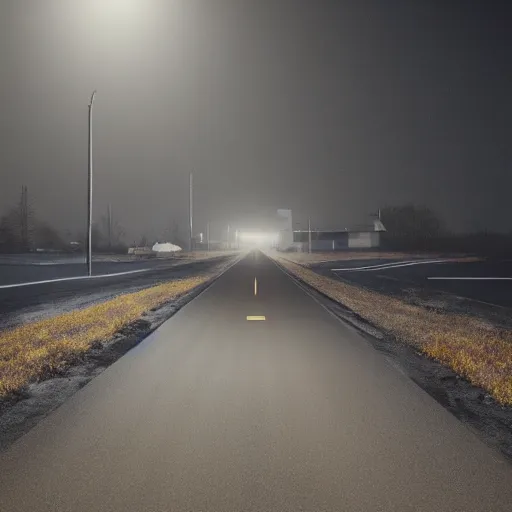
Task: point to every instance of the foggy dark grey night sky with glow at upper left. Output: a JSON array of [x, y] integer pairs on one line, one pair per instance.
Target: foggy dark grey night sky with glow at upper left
[[330, 108]]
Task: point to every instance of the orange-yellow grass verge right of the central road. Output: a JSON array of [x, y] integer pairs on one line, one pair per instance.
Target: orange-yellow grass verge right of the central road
[[474, 349]]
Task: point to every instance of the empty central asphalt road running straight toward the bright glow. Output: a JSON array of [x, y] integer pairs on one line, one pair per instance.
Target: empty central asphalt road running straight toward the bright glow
[[213, 412]]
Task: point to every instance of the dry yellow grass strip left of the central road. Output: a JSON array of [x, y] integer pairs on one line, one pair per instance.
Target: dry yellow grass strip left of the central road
[[41, 349]]
